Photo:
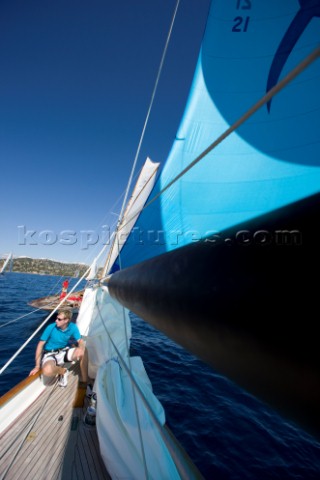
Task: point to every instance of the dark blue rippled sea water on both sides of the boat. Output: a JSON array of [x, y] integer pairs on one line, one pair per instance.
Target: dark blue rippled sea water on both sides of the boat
[[228, 433]]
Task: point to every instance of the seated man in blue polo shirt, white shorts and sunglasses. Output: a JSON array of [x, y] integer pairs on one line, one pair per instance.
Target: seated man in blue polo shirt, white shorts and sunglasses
[[54, 349]]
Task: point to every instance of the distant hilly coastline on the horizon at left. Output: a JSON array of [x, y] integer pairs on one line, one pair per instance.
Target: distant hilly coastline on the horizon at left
[[43, 266]]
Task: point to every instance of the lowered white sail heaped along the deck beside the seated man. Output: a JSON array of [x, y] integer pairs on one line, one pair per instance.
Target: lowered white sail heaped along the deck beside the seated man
[[106, 327]]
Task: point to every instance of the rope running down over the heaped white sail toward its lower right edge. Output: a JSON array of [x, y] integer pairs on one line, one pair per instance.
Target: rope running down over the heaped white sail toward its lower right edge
[[178, 461]]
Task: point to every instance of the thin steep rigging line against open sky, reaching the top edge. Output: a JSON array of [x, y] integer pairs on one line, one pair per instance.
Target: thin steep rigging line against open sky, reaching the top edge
[[149, 109]]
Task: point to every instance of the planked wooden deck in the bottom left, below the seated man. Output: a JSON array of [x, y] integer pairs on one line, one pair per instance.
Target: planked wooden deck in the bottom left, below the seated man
[[50, 441]]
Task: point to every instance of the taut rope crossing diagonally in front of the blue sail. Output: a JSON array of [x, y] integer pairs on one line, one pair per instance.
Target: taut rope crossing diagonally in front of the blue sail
[[262, 101]]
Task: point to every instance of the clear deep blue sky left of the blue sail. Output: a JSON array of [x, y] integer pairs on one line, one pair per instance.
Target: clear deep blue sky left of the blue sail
[[75, 85]]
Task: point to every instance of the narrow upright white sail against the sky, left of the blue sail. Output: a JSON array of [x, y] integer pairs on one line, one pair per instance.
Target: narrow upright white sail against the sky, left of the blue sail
[[140, 194]]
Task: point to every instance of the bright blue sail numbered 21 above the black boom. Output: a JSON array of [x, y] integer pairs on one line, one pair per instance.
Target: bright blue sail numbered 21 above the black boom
[[270, 161]]
